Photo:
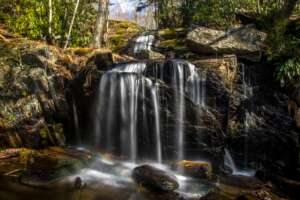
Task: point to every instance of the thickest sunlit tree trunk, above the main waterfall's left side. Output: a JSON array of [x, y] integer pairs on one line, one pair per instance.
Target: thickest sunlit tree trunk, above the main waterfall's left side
[[101, 23]]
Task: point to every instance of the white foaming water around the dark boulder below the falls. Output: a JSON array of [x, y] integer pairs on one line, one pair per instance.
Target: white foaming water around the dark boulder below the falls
[[118, 175]]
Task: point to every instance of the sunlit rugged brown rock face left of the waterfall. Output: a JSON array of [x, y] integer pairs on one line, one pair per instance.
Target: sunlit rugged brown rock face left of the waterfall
[[32, 100]]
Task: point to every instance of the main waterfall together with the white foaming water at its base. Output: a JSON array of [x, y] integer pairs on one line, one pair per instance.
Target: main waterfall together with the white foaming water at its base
[[122, 100]]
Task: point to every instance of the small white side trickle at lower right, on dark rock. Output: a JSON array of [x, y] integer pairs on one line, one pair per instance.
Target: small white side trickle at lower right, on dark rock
[[229, 162]]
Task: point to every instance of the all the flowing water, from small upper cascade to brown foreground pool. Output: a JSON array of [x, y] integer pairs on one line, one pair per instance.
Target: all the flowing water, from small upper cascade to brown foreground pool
[[124, 96]]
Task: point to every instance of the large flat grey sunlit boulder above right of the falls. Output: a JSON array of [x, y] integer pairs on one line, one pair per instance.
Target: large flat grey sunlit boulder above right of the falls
[[244, 41]]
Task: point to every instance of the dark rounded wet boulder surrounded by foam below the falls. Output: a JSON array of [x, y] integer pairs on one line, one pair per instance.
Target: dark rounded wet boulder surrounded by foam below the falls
[[154, 179]]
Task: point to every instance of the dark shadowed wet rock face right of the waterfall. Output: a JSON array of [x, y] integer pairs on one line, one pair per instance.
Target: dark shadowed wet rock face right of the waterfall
[[260, 128]]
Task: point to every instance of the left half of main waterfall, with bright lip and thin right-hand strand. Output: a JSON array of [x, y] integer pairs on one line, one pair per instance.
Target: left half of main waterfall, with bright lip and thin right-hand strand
[[119, 93]]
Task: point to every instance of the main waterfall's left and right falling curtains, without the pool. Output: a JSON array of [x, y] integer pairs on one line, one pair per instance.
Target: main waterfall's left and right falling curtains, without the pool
[[129, 105]]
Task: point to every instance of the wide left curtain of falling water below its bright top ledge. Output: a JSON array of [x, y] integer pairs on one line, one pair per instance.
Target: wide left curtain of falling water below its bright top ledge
[[118, 90]]
